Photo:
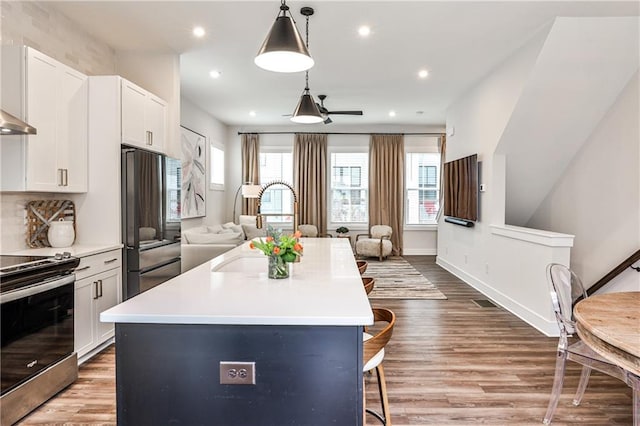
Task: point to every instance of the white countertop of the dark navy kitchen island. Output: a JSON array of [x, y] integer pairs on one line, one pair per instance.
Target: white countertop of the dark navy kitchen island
[[325, 288]]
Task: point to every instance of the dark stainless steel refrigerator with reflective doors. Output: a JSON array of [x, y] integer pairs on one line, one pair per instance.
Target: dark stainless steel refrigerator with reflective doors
[[150, 219]]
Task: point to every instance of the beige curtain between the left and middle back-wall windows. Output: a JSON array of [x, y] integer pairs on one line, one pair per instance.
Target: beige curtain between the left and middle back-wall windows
[[310, 179]]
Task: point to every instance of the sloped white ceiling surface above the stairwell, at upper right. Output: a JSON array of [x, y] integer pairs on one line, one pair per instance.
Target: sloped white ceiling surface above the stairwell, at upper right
[[582, 67]]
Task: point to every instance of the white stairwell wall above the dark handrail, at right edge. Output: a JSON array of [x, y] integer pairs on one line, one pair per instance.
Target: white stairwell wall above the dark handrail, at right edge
[[598, 197]]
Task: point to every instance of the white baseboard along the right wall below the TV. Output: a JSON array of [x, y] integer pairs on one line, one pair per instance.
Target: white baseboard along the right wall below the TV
[[548, 328]]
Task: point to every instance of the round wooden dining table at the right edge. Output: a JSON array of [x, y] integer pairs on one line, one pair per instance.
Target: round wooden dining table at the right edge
[[610, 324]]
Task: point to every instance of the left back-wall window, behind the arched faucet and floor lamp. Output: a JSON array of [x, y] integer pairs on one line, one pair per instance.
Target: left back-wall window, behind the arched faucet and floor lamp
[[278, 198]]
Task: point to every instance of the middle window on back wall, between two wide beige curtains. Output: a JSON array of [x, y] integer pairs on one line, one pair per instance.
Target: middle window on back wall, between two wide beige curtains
[[349, 201]]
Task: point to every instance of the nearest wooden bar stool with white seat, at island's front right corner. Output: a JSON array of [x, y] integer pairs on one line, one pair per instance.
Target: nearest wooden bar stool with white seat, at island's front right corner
[[373, 350]]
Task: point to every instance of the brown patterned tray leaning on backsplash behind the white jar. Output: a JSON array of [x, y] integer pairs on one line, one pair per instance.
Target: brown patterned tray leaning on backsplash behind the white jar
[[40, 213]]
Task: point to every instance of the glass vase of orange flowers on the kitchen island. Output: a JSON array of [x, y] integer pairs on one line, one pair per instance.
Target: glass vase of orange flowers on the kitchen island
[[281, 250]]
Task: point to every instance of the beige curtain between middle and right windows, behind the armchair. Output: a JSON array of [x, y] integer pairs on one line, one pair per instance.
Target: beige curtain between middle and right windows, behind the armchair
[[386, 185]]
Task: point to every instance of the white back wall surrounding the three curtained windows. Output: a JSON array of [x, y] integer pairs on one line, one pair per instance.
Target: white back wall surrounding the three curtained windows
[[419, 240]]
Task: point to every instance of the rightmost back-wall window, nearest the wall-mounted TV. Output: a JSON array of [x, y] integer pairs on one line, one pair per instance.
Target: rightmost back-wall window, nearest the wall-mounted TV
[[423, 188]]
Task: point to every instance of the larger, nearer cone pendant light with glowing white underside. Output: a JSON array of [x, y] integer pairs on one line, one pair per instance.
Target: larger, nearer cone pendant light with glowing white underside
[[283, 50]]
